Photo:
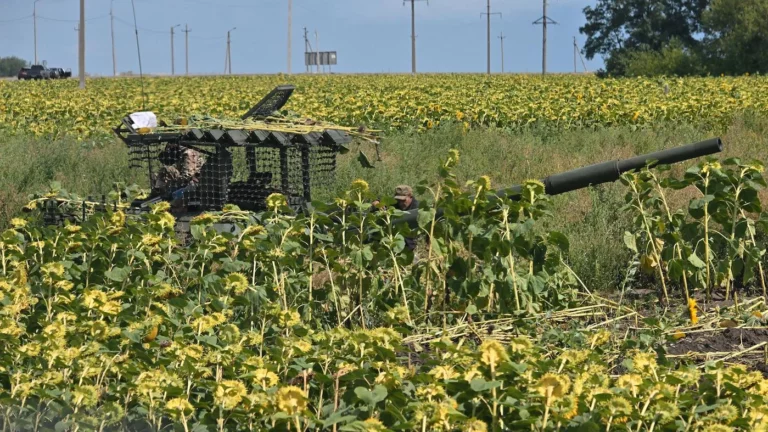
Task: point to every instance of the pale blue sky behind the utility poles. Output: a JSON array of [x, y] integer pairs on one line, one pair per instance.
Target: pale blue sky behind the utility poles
[[370, 36]]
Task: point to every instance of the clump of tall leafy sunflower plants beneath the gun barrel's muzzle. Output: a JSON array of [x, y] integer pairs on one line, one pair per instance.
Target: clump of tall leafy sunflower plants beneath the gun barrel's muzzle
[[712, 244]]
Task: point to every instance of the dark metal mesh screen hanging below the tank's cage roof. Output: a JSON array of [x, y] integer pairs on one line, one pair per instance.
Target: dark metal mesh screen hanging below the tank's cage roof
[[207, 176]]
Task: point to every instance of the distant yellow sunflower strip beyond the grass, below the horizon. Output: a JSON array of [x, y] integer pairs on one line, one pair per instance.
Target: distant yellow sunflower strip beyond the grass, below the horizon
[[386, 101]]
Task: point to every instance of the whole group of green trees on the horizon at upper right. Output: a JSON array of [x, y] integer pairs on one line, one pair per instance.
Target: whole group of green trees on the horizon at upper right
[[678, 37]]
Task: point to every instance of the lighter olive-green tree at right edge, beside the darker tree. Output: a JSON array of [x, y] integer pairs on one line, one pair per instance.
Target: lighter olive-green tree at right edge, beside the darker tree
[[736, 40]]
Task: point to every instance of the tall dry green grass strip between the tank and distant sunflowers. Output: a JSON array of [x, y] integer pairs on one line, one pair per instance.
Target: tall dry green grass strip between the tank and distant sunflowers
[[590, 218]]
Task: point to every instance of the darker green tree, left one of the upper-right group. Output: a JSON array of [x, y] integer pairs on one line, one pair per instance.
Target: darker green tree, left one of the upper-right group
[[619, 27]]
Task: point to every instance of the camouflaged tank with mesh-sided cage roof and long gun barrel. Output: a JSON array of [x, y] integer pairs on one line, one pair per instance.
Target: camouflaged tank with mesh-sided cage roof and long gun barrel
[[243, 163]]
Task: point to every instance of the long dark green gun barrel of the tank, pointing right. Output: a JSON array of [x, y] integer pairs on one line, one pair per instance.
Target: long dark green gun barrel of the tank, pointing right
[[604, 172]]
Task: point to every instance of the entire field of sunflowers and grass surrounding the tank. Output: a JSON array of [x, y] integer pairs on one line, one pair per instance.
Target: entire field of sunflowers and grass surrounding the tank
[[635, 306]]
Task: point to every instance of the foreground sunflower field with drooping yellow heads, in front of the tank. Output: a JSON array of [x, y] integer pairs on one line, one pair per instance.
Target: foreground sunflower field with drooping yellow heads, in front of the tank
[[325, 321]]
